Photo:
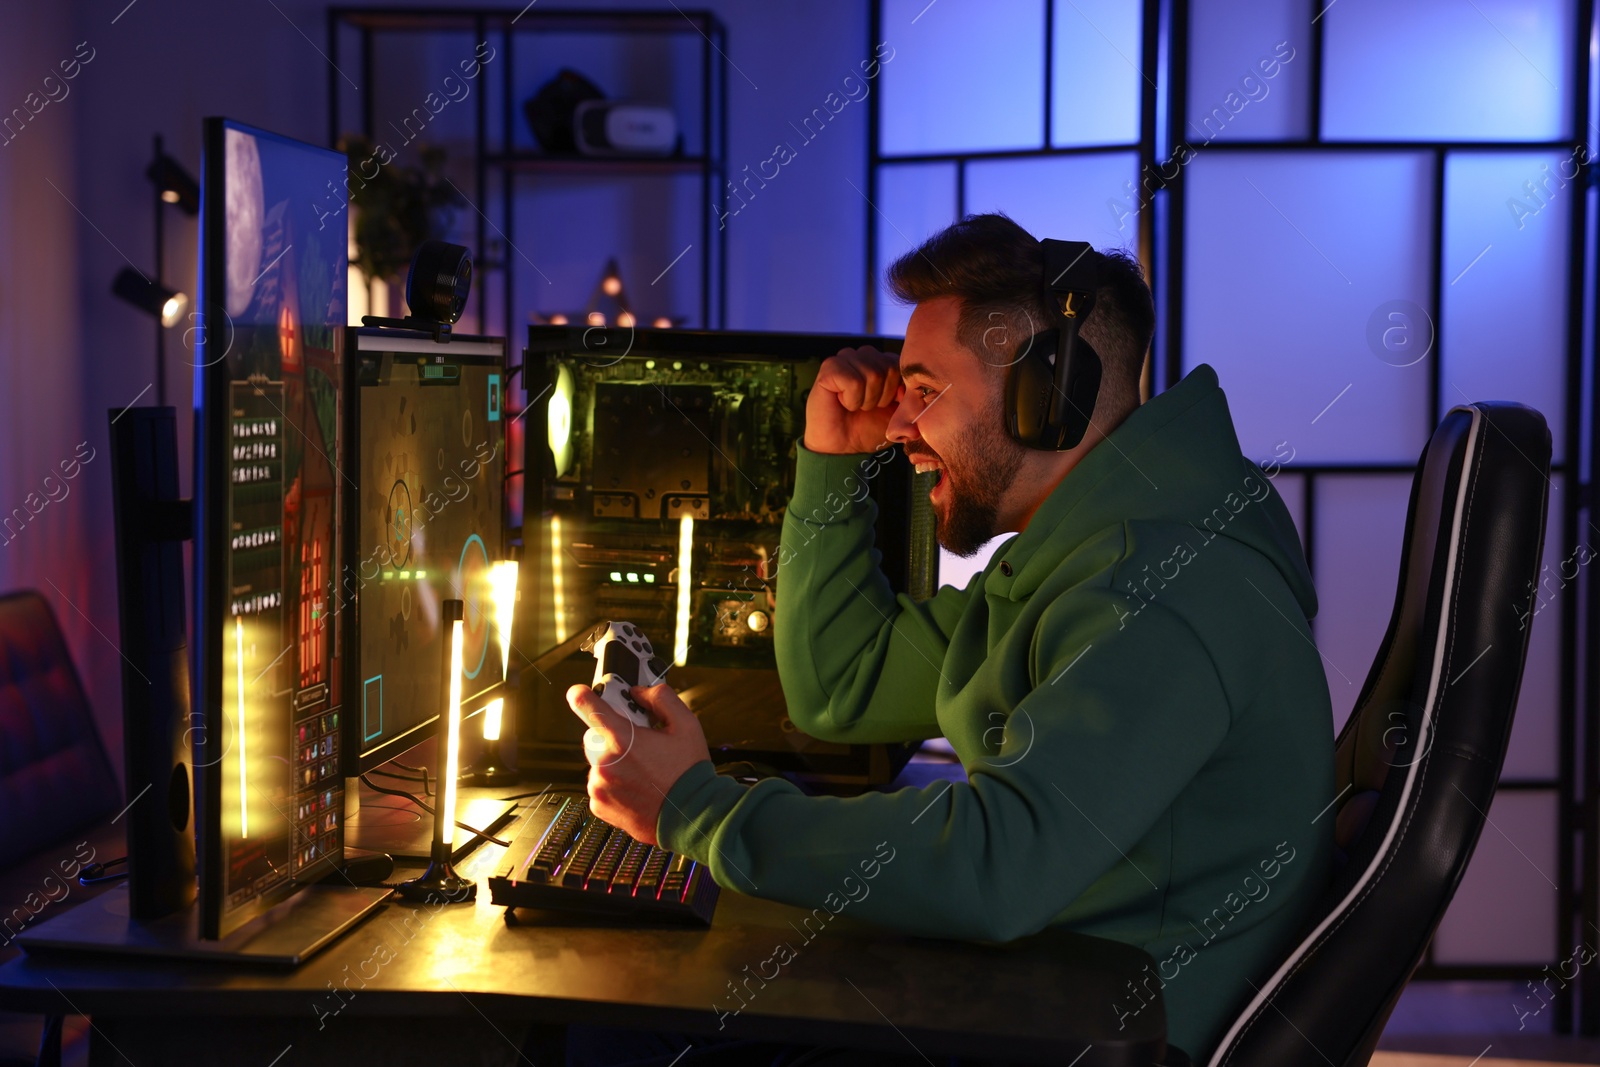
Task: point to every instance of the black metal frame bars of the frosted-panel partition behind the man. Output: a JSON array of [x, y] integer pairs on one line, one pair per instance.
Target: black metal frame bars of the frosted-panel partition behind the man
[[1162, 226]]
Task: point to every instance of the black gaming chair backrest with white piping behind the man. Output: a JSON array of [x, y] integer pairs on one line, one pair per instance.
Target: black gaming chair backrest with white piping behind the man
[[1420, 757]]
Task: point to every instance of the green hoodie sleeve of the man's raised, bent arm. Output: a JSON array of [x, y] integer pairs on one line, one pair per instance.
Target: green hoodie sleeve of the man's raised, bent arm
[[858, 663]]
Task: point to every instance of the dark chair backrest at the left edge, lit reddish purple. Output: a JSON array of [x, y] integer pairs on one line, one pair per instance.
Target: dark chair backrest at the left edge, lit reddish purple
[[55, 778]]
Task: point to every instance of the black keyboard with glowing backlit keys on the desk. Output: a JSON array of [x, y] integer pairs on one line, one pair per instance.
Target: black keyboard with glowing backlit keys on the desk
[[566, 858]]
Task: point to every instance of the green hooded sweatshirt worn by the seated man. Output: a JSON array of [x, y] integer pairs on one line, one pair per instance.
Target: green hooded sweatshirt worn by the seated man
[[1132, 687]]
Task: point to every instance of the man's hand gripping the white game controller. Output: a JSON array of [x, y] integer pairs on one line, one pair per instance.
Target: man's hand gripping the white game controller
[[633, 769]]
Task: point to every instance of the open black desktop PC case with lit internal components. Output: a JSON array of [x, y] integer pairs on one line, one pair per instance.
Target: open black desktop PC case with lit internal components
[[649, 450]]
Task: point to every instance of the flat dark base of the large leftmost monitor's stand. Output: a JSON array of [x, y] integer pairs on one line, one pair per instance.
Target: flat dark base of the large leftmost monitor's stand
[[287, 935]]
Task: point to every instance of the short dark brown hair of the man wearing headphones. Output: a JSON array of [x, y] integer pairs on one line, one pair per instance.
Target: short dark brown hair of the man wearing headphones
[[996, 268]]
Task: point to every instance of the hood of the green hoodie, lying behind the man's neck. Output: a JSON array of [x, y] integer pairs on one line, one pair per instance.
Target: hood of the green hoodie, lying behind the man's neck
[[1177, 462]]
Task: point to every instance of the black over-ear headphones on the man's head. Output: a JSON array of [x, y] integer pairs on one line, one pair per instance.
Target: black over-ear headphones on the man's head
[[1052, 386]]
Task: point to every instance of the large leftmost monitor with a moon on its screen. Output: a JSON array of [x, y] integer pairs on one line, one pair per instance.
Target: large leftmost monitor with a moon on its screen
[[270, 490]]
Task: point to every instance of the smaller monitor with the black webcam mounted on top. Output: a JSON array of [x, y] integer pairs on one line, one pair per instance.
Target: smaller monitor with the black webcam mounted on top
[[425, 527]]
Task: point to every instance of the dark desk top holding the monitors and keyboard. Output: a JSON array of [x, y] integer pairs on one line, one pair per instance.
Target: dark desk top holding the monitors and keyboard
[[462, 978]]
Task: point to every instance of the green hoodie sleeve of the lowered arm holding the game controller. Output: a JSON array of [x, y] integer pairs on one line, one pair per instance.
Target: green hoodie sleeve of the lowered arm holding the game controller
[[1062, 799]]
